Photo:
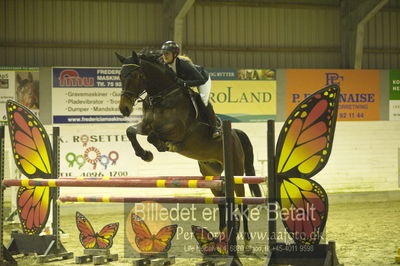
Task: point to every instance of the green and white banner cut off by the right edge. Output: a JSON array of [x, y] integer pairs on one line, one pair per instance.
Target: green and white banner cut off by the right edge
[[394, 95]]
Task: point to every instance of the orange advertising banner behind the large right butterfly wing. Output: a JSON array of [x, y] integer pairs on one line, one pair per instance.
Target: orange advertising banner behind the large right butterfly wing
[[359, 90]]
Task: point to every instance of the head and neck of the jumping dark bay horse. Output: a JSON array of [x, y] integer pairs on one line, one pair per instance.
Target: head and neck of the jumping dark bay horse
[[144, 74]]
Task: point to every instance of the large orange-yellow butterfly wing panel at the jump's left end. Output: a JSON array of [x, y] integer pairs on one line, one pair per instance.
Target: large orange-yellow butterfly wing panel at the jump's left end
[[32, 154]]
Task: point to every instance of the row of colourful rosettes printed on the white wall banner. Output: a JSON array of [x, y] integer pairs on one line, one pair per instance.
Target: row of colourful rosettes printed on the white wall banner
[[92, 155]]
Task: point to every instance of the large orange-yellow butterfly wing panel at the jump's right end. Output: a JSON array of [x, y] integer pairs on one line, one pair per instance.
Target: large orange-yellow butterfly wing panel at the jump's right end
[[303, 148]]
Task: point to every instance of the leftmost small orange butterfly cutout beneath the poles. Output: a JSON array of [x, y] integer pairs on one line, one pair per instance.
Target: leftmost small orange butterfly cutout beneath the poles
[[90, 239]]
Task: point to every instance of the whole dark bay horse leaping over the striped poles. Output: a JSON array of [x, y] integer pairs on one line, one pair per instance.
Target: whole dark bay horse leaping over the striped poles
[[170, 124]]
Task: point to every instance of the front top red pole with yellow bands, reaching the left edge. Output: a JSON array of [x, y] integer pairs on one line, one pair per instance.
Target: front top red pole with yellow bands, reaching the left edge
[[213, 184]]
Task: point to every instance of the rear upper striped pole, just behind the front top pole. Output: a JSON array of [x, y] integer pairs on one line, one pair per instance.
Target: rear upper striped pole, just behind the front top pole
[[237, 179]]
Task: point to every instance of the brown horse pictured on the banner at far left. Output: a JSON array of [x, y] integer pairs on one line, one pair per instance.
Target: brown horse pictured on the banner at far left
[[27, 91]]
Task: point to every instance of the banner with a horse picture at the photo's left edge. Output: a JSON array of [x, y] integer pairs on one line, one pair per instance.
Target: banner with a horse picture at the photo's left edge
[[19, 84]]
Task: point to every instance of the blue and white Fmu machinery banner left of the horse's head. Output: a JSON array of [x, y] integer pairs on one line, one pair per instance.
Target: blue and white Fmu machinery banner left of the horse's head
[[88, 95]]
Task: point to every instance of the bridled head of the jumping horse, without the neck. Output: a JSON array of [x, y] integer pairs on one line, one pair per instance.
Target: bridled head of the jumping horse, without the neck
[[133, 82]]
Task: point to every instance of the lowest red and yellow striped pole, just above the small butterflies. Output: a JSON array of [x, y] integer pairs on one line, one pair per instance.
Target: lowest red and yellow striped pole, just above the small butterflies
[[166, 199]]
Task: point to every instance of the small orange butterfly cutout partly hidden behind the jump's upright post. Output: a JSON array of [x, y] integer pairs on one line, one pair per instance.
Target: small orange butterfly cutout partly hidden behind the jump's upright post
[[210, 245]]
